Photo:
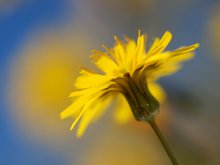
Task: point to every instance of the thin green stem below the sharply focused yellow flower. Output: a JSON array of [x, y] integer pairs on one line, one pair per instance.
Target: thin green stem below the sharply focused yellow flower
[[163, 141]]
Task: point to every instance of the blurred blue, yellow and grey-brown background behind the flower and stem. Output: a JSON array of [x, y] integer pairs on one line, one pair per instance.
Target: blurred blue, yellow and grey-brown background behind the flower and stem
[[42, 45]]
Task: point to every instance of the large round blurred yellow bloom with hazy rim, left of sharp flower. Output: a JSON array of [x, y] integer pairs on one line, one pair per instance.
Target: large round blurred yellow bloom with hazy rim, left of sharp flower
[[41, 80]]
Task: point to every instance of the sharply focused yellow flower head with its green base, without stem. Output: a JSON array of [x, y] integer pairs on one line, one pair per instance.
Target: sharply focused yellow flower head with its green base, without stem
[[127, 75]]
